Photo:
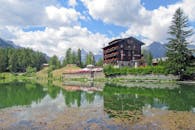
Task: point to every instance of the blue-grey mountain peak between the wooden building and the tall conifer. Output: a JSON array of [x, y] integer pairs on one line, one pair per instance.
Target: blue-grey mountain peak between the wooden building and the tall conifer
[[157, 49]]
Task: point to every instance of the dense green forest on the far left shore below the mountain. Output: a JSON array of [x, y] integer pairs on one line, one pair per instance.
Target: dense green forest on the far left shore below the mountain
[[18, 60]]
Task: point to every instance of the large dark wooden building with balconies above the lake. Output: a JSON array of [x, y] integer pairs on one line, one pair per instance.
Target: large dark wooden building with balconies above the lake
[[123, 52]]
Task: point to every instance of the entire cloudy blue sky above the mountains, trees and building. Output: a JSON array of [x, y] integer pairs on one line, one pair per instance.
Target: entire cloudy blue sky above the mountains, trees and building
[[53, 26]]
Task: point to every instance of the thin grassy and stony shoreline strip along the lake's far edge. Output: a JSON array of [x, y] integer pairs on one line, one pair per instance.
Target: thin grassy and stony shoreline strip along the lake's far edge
[[150, 78]]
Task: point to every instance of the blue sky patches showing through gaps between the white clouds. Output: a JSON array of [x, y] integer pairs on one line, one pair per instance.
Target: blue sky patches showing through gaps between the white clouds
[[95, 26]]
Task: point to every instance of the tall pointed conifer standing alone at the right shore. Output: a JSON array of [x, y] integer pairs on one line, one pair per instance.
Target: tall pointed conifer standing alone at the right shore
[[178, 53]]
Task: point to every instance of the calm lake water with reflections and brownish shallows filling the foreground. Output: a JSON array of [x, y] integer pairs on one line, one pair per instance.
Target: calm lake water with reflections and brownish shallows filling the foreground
[[32, 105]]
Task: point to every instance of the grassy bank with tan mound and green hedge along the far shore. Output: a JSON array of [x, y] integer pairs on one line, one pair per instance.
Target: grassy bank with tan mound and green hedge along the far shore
[[124, 75]]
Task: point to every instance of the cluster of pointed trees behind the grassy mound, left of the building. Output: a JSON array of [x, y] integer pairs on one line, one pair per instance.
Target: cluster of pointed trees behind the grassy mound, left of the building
[[74, 57]]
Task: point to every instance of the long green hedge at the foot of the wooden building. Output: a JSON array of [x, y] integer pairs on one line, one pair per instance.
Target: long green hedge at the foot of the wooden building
[[111, 71]]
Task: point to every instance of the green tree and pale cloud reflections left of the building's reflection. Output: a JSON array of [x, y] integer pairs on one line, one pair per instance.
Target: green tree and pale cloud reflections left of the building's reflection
[[32, 94]]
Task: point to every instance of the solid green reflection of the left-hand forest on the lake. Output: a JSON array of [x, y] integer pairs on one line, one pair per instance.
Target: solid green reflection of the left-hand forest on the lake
[[20, 93]]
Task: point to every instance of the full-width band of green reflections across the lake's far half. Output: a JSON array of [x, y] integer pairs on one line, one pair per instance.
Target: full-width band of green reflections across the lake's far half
[[111, 97]]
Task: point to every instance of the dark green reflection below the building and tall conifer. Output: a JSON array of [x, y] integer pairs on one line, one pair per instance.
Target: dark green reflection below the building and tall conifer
[[135, 98]]
